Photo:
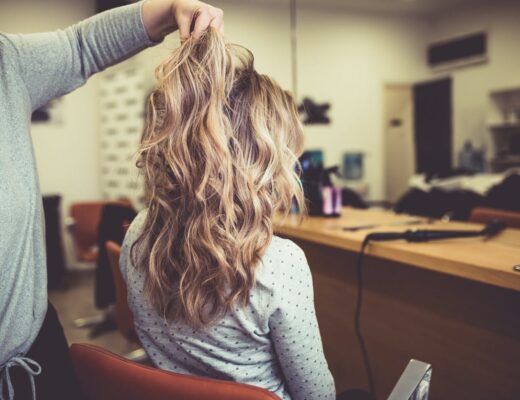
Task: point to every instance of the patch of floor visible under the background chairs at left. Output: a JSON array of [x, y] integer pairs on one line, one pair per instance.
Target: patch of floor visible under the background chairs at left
[[77, 301]]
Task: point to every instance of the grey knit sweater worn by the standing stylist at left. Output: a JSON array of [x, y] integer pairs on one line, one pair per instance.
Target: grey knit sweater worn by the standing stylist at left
[[34, 69]]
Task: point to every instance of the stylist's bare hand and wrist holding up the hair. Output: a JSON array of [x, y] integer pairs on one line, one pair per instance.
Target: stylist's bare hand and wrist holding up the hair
[[190, 17]]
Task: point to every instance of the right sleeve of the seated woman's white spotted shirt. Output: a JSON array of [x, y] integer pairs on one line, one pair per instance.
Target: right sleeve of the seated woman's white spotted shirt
[[295, 332]]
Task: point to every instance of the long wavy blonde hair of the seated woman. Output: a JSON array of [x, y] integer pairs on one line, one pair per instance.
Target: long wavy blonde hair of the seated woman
[[219, 157]]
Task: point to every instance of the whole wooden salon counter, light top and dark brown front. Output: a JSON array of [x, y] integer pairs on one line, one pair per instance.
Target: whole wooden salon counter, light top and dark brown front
[[454, 303]]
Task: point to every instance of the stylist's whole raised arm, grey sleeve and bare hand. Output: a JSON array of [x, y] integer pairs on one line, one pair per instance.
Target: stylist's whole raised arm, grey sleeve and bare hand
[[55, 63]]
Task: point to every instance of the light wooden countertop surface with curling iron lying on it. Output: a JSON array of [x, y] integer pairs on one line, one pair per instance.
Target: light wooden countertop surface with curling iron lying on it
[[489, 261]]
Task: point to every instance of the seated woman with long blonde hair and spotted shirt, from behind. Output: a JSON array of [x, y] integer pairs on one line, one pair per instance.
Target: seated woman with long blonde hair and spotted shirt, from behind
[[214, 293]]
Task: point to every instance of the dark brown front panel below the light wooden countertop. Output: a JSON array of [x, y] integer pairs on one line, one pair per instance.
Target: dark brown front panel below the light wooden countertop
[[468, 331]]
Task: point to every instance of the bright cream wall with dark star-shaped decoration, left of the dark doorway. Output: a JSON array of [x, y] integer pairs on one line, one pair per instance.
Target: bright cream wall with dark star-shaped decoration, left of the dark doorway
[[345, 58]]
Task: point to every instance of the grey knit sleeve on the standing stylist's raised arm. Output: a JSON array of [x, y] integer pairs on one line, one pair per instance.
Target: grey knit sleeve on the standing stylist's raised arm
[[55, 63]]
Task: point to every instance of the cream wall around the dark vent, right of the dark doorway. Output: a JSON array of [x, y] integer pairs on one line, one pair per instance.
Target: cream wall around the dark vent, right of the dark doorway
[[471, 85]]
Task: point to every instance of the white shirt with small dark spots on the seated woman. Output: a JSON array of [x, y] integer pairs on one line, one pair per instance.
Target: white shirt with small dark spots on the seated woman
[[273, 343]]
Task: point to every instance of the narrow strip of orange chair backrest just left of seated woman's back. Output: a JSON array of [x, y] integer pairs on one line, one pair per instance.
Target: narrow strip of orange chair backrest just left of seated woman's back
[[124, 317]]
